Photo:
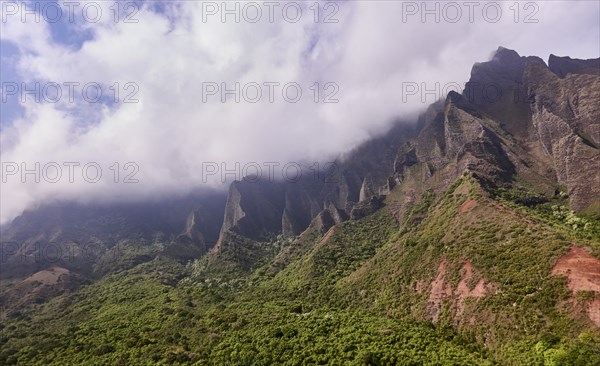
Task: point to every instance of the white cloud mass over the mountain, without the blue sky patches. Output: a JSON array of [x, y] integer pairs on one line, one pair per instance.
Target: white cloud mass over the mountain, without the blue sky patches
[[369, 54]]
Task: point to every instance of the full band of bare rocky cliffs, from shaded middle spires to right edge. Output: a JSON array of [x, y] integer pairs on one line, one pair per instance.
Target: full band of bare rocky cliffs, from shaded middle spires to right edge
[[517, 120]]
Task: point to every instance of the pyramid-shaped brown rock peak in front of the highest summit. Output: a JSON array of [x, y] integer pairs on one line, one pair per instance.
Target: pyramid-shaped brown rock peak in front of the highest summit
[[454, 138]]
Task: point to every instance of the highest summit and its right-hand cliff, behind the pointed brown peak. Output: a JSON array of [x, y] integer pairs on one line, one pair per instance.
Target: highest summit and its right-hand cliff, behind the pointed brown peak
[[552, 115]]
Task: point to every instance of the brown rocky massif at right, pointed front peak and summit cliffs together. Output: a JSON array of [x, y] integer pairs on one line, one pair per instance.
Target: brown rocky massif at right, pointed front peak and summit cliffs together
[[543, 124]]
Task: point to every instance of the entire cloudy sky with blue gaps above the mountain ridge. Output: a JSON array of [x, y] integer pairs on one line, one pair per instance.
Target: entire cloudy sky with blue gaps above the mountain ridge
[[311, 85]]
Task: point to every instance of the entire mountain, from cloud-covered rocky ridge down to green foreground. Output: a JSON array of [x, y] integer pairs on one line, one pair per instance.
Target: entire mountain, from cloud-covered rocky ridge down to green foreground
[[467, 223]]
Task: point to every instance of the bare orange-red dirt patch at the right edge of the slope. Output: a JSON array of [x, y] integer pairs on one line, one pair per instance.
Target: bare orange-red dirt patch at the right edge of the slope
[[583, 274]]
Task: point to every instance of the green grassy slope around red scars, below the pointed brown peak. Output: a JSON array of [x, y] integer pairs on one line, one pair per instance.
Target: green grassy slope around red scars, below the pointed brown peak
[[512, 246]]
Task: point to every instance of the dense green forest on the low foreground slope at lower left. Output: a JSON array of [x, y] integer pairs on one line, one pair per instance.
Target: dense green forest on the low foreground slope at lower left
[[140, 317]]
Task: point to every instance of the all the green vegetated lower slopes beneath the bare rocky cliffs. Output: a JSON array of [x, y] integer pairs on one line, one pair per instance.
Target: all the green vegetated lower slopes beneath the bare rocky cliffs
[[351, 298]]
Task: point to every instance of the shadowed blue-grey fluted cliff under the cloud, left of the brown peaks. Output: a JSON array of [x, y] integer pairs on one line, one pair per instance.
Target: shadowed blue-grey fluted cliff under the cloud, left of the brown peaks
[[259, 209]]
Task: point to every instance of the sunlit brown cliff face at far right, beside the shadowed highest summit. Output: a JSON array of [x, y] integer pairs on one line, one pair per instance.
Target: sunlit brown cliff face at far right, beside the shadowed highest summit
[[566, 115]]
